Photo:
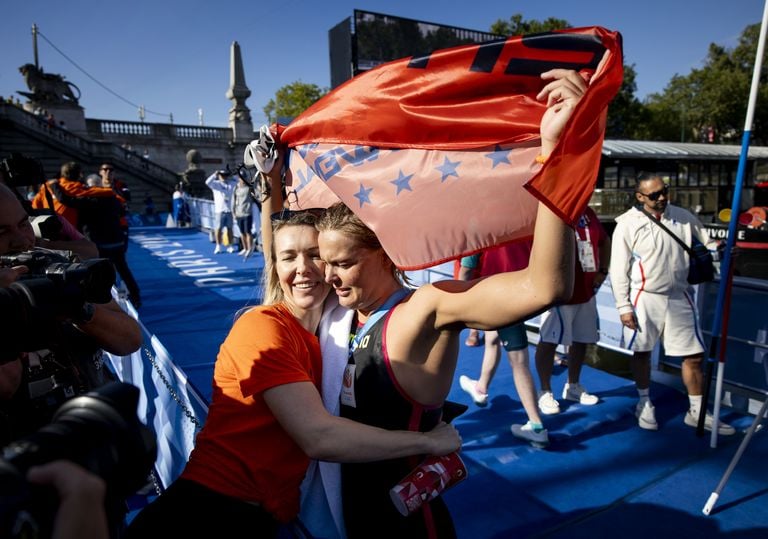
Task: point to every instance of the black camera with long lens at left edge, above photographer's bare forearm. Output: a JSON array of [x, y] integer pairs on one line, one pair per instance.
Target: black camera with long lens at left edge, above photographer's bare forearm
[[54, 287]]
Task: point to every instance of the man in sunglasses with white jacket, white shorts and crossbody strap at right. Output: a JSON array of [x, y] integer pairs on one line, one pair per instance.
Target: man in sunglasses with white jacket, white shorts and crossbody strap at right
[[648, 272]]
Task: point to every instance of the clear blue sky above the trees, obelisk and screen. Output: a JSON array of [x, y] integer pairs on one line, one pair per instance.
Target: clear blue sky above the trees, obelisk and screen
[[172, 56]]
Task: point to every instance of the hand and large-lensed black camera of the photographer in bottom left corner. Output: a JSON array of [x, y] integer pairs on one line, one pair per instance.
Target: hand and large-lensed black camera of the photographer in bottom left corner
[[71, 477]]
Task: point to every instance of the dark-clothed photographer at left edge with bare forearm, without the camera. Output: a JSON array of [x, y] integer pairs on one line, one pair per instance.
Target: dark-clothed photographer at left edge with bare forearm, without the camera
[[70, 360]]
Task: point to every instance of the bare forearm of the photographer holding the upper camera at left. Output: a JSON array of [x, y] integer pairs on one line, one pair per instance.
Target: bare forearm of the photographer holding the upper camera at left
[[112, 328]]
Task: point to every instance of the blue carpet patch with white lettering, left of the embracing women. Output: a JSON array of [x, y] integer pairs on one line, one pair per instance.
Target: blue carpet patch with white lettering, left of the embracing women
[[190, 295]]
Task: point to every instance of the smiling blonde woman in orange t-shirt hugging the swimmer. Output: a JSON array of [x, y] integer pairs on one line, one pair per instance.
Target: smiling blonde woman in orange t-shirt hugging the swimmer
[[266, 418]]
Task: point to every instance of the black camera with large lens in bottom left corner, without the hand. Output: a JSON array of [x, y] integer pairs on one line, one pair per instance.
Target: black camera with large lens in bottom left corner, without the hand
[[101, 432]]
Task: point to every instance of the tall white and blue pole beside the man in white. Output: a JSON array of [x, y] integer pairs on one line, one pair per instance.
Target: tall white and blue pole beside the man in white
[[724, 270]]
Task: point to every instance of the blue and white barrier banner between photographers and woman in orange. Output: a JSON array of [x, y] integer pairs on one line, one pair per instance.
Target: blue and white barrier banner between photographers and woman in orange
[[168, 404]]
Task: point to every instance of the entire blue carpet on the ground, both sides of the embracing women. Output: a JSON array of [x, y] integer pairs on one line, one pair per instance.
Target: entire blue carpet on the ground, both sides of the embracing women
[[602, 476]]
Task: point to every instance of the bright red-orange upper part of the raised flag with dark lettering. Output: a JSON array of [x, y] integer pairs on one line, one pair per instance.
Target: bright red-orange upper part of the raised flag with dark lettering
[[465, 97]]
